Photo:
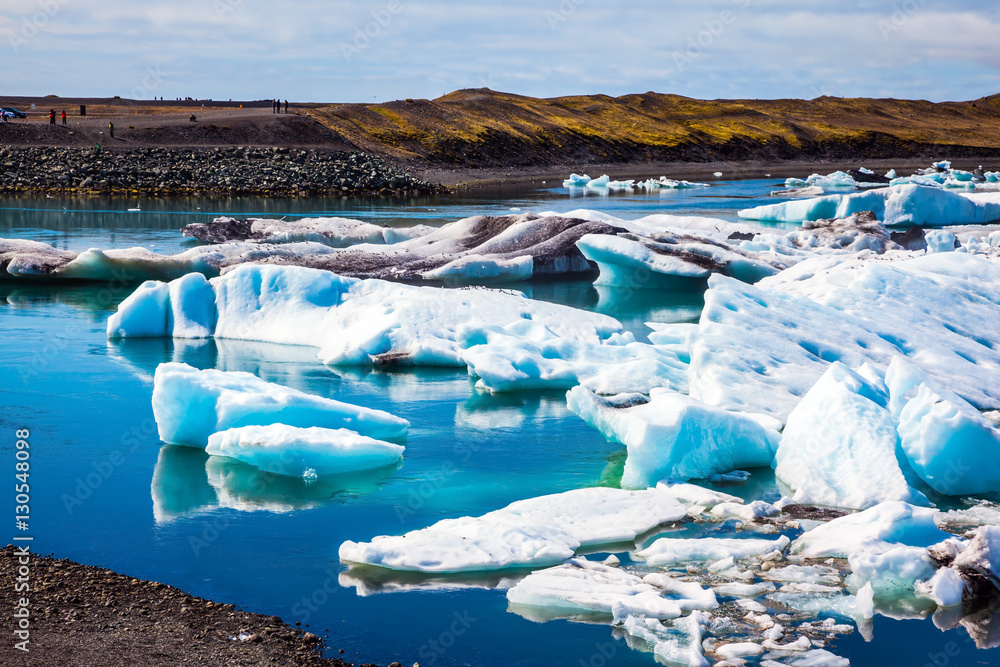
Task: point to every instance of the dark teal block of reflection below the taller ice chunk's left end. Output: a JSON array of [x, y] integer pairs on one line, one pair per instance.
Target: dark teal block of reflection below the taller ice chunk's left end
[[179, 486]]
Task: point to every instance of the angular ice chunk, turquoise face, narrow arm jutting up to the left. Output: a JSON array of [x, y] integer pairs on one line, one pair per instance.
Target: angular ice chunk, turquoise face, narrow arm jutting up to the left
[[678, 437]]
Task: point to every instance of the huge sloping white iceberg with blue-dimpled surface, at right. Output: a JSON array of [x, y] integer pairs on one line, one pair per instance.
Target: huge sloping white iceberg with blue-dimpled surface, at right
[[760, 348]]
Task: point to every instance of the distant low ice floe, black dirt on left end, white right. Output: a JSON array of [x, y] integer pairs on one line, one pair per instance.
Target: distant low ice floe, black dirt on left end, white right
[[333, 232]]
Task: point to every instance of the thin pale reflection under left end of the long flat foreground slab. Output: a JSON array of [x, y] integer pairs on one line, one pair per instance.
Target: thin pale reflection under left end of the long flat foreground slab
[[375, 580]]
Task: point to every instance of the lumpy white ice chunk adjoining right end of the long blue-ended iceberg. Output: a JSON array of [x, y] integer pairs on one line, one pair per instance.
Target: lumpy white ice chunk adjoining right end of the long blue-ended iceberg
[[528, 355]]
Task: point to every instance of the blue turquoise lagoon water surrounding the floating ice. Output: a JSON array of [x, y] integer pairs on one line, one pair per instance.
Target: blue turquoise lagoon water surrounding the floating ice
[[107, 492]]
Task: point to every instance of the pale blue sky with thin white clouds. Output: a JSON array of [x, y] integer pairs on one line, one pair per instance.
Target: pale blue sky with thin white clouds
[[308, 50]]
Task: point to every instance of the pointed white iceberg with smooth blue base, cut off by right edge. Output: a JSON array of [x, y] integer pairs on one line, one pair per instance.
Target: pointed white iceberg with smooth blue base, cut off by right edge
[[949, 443]]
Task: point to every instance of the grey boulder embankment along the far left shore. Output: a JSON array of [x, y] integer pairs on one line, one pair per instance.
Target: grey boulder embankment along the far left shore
[[260, 172]]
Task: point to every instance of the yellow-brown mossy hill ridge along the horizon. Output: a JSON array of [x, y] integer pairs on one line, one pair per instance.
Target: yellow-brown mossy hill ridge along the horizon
[[485, 128]]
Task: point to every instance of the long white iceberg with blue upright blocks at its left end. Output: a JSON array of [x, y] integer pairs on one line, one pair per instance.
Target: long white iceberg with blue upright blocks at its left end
[[351, 321]]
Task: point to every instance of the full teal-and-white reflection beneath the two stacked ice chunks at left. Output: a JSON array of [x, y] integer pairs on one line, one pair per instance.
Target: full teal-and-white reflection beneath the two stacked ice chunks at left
[[187, 482]]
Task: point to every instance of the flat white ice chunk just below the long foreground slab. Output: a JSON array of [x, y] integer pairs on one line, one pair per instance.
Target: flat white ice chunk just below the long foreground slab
[[581, 586]]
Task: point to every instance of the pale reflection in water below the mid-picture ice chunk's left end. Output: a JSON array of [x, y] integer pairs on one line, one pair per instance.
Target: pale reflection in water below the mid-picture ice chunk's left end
[[486, 411]]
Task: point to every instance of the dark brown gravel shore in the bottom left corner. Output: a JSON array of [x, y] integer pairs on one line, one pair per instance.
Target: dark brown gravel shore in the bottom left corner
[[129, 622]]
